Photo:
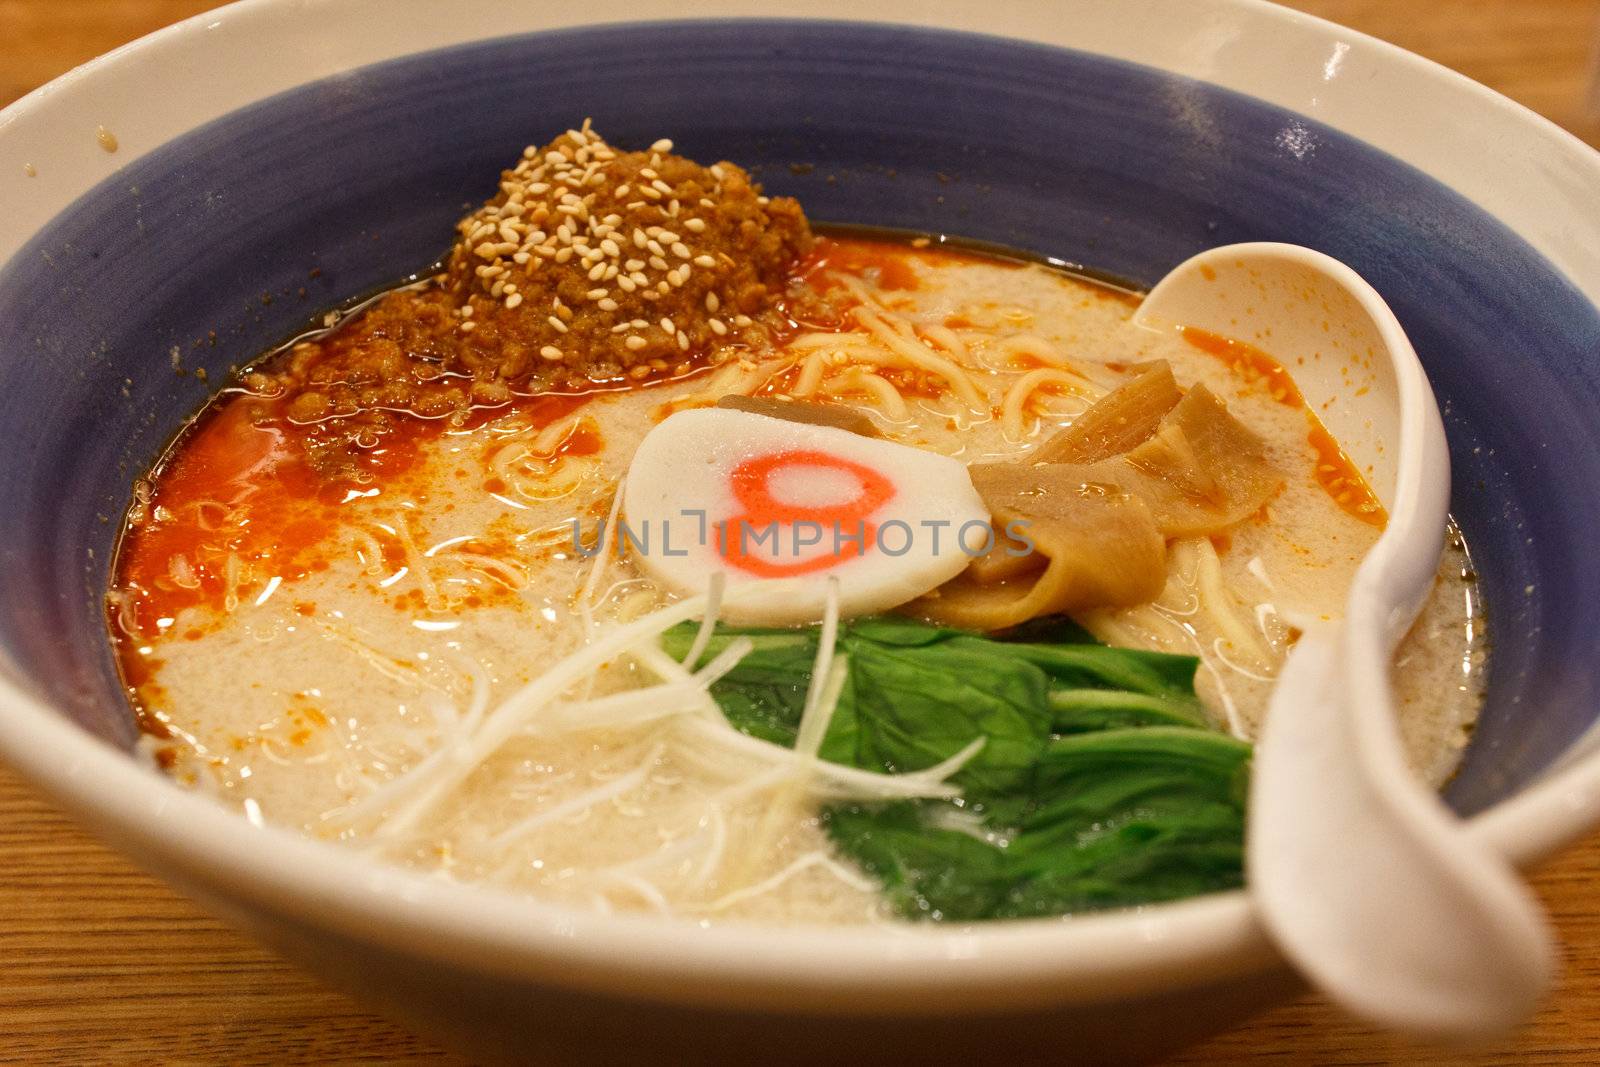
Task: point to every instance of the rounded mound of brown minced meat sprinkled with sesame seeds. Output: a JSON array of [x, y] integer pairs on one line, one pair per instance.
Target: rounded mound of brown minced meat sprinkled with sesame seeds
[[614, 262]]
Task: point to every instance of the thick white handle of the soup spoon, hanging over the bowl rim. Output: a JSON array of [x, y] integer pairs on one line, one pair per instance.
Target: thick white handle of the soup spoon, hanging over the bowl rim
[[1380, 895]]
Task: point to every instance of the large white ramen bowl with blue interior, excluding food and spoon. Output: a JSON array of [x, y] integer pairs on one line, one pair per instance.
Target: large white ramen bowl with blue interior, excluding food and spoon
[[274, 159]]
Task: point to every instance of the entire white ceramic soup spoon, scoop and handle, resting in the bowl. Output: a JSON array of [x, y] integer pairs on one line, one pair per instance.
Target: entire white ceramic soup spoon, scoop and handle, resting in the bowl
[[1361, 874]]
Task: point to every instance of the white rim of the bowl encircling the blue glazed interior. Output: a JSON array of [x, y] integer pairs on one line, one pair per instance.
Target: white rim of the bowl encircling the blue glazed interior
[[838, 970]]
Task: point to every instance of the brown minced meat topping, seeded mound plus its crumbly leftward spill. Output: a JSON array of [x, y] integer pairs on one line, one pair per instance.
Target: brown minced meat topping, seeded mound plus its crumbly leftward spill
[[588, 266]]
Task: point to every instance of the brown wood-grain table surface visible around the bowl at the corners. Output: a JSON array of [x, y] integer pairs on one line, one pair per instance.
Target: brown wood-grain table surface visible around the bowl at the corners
[[103, 964]]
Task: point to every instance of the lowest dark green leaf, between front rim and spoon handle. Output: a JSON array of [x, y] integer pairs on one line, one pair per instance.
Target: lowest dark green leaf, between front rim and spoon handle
[[1126, 817]]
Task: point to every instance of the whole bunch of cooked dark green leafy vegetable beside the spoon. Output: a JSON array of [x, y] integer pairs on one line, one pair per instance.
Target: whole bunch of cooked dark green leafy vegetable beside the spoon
[[1100, 785]]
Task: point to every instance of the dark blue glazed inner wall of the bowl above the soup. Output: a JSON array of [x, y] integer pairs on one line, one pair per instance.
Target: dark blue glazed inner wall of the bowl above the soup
[[234, 236]]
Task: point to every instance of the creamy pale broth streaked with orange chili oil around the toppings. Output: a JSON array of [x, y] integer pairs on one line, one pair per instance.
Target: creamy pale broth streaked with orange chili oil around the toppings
[[458, 581]]
